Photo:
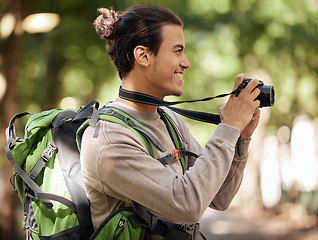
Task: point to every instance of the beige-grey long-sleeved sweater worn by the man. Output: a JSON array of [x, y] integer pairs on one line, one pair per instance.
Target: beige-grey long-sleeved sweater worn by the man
[[116, 169]]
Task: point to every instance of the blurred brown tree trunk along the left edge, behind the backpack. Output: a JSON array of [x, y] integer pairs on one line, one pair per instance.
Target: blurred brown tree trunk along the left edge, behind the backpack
[[11, 51]]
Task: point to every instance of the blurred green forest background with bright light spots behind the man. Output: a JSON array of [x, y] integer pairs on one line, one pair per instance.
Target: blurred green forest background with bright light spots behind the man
[[272, 40]]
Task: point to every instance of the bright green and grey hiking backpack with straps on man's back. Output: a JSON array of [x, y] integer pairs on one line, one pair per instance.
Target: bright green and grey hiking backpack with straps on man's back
[[47, 176]]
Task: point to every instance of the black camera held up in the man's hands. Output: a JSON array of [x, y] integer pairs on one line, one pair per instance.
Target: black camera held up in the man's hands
[[266, 96]]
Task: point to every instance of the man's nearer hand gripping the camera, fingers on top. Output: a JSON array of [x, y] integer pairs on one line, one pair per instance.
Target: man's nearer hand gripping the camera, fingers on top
[[238, 111]]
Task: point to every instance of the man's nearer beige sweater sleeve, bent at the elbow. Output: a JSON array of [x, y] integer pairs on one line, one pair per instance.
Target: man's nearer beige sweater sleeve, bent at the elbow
[[124, 170]]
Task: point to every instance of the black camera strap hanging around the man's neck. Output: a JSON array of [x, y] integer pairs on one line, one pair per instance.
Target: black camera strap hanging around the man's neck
[[195, 115]]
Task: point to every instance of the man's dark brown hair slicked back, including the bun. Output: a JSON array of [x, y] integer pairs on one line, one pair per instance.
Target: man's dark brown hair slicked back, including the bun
[[139, 25]]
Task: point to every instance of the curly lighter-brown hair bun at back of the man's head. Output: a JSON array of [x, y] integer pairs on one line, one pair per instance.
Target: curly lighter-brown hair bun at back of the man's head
[[105, 24]]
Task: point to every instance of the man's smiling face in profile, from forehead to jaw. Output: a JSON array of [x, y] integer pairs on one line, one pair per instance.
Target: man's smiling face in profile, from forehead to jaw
[[167, 67]]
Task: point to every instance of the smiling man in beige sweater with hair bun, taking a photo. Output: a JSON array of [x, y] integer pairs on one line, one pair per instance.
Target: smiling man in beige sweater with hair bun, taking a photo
[[147, 46]]
